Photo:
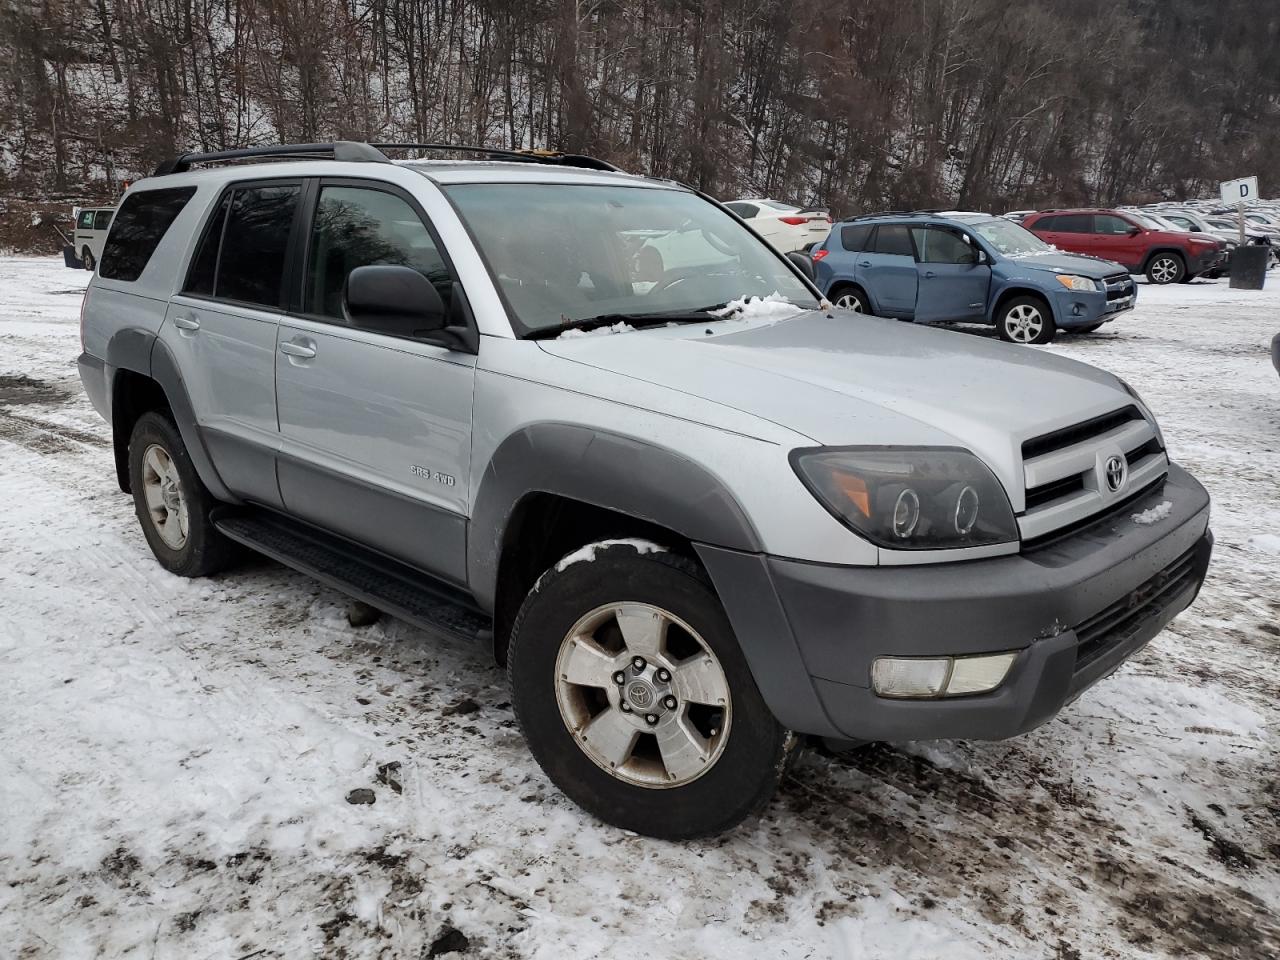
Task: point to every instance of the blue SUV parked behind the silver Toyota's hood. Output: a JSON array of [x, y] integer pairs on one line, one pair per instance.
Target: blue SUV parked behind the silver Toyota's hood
[[935, 268]]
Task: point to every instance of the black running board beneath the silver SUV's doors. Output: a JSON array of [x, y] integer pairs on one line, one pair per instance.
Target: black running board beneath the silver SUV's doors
[[382, 583]]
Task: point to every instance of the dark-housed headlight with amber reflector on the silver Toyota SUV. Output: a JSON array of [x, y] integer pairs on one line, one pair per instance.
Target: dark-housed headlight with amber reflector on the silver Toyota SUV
[[924, 499]]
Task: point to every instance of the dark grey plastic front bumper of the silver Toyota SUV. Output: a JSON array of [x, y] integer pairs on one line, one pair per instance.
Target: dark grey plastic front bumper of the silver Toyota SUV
[[1075, 610]]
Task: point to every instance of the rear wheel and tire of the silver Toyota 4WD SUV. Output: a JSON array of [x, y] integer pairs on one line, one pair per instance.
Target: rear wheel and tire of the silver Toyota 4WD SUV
[[166, 487]]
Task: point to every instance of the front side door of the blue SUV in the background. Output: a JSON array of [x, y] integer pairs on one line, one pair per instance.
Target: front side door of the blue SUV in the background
[[953, 286]]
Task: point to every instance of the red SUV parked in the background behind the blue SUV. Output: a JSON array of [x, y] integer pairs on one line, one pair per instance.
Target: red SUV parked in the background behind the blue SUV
[[1165, 257]]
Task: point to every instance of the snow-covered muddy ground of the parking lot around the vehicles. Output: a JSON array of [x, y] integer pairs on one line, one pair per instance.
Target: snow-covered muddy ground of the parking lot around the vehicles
[[176, 756]]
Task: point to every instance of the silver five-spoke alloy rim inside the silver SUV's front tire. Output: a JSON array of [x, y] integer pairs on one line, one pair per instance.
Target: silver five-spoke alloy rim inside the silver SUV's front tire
[[643, 694]]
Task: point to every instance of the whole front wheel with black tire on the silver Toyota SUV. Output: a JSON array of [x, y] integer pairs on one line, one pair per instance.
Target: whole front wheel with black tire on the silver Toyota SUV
[[570, 627]]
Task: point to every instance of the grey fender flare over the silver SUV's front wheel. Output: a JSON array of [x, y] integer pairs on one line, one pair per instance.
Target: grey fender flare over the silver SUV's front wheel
[[605, 470]]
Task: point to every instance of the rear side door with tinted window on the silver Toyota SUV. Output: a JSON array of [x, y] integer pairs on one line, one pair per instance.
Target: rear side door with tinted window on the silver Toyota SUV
[[222, 330]]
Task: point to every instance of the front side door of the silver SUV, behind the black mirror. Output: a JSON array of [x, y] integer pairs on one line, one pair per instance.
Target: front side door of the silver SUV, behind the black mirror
[[376, 429]]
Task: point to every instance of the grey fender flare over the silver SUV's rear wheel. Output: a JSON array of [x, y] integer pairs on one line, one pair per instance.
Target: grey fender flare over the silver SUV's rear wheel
[[140, 351]]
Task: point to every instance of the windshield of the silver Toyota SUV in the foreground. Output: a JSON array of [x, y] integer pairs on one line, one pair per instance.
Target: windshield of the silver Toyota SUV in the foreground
[[568, 253]]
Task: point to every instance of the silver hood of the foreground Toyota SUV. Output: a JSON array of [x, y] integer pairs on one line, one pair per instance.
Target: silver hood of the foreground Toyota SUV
[[845, 378]]
